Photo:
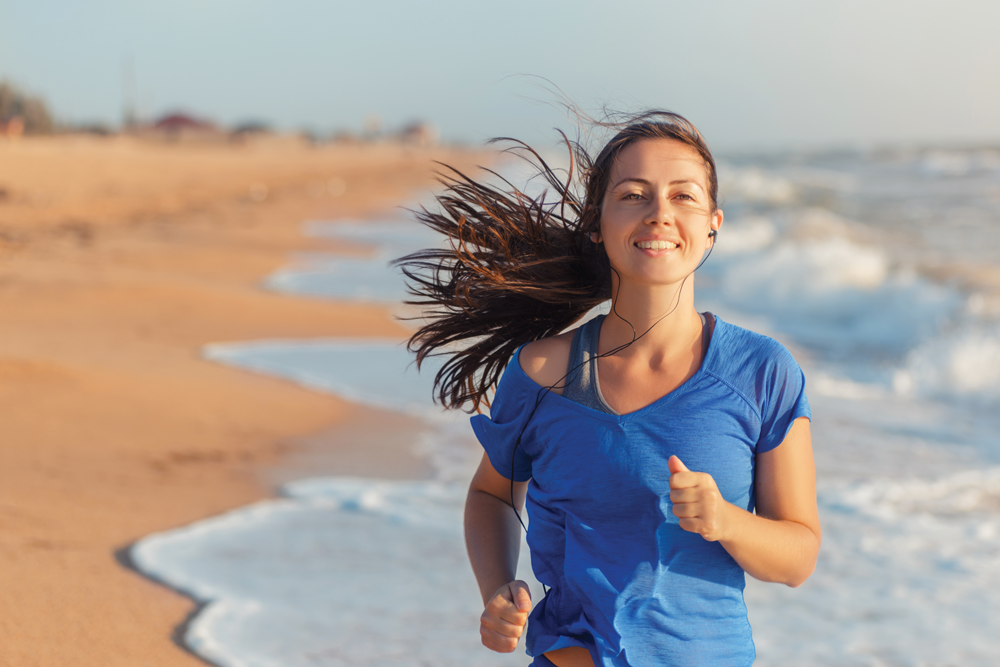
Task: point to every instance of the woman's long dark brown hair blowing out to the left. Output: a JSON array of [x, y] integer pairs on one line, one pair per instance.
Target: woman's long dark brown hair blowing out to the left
[[518, 268]]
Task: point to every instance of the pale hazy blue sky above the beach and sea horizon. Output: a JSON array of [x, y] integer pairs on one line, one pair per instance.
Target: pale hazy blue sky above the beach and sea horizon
[[770, 73]]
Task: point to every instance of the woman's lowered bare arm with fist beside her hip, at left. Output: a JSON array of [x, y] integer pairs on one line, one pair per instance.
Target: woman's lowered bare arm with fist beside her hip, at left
[[493, 538]]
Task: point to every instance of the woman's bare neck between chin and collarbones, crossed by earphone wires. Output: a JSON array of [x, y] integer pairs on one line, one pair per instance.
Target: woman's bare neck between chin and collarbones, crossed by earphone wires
[[663, 315]]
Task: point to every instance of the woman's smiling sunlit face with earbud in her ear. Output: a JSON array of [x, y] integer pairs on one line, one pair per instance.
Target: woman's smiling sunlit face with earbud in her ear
[[657, 212]]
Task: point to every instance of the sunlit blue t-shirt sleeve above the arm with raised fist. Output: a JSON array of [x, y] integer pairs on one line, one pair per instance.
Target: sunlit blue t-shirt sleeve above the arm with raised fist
[[784, 393]]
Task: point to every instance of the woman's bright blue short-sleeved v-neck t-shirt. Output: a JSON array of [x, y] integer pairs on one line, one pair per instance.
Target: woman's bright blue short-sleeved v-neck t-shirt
[[625, 580]]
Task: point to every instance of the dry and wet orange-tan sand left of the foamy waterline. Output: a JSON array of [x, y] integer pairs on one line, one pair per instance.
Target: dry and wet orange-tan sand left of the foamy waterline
[[119, 260]]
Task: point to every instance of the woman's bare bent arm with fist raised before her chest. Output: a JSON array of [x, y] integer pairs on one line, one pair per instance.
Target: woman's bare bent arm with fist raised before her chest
[[780, 542]]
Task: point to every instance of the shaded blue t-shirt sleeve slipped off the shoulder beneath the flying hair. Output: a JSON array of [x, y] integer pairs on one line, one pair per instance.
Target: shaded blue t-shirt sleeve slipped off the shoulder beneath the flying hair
[[498, 433]]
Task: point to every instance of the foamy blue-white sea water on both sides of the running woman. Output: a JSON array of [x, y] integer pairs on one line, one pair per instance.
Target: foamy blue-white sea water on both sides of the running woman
[[879, 270]]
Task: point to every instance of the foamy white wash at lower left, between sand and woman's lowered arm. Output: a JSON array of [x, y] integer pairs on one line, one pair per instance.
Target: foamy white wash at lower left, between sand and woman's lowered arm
[[344, 572]]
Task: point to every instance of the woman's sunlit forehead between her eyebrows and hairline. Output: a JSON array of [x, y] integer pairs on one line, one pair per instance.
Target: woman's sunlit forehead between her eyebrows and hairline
[[658, 159]]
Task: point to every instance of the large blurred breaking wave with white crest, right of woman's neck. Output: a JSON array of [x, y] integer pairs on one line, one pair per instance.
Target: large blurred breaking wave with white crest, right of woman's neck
[[836, 296]]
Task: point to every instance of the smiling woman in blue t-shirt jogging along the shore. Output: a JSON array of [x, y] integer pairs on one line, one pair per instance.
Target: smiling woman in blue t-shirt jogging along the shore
[[661, 452]]
